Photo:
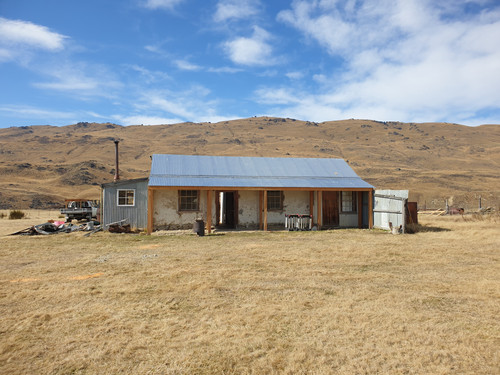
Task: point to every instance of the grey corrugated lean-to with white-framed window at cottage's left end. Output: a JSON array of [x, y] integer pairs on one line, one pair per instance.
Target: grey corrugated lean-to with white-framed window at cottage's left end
[[125, 200]]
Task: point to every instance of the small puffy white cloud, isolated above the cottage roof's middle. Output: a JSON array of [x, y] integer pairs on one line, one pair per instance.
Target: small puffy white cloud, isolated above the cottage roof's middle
[[251, 51]]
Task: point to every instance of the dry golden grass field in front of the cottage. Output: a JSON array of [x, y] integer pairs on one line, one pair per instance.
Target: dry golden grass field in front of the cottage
[[341, 302]]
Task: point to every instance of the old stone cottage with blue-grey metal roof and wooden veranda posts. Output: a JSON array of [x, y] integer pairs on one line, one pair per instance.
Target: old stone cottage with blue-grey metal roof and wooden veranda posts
[[255, 192]]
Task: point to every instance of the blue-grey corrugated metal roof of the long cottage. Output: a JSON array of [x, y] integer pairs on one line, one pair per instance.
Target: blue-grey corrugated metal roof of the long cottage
[[258, 172]]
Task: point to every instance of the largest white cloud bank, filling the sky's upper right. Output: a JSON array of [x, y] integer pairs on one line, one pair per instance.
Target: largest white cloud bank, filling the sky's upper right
[[408, 60]]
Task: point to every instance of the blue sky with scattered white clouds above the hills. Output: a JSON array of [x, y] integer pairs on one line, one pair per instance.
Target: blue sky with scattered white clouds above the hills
[[167, 61]]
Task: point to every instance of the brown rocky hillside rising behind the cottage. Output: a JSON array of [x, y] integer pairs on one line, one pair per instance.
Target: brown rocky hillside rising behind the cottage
[[42, 165]]
